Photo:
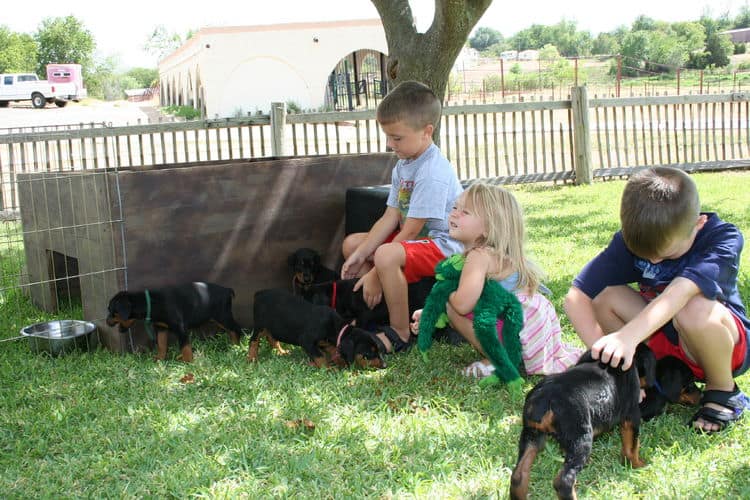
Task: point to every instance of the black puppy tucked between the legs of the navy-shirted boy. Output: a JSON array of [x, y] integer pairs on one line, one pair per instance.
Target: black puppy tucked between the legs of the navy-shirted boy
[[675, 383]]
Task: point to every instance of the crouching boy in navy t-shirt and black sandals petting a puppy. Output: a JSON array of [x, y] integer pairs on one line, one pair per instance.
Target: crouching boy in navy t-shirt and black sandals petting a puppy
[[685, 263]]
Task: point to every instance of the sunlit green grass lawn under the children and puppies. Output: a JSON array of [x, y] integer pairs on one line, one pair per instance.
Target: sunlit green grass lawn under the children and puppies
[[108, 425]]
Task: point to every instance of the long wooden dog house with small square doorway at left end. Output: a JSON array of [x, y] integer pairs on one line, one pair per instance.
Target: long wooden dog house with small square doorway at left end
[[229, 222]]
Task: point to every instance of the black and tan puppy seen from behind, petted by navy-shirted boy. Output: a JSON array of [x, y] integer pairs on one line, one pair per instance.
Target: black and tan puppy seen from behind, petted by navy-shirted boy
[[574, 407]]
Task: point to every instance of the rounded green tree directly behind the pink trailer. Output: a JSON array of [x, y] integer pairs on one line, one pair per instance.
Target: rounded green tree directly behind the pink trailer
[[64, 40]]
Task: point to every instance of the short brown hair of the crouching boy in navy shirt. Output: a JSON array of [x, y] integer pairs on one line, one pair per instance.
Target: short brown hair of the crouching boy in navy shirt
[[658, 205]]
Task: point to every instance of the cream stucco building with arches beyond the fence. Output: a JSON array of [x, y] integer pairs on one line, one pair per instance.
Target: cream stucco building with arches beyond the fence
[[233, 71]]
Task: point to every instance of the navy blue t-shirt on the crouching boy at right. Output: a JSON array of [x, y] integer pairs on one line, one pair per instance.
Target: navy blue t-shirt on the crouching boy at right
[[712, 263]]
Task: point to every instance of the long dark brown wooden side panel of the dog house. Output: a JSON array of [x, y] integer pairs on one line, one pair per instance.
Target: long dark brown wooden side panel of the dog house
[[235, 223]]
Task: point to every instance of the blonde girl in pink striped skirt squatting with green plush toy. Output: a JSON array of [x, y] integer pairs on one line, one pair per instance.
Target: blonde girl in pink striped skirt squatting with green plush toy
[[488, 220]]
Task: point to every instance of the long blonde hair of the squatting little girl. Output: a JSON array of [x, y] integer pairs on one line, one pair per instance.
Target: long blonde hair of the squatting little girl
[[506, 235]]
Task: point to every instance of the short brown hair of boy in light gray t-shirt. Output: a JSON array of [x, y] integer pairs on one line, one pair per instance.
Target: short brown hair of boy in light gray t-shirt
[[411, 102]]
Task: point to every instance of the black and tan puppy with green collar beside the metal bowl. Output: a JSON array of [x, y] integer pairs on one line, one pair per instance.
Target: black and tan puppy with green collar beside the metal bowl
[[175, 308]]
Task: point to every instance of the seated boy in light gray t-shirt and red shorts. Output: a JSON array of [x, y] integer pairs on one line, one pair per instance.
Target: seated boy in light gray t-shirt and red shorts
[[411, 237]]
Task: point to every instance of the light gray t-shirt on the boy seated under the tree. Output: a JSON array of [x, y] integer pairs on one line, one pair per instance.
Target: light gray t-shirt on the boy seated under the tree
[[427, 188]]
